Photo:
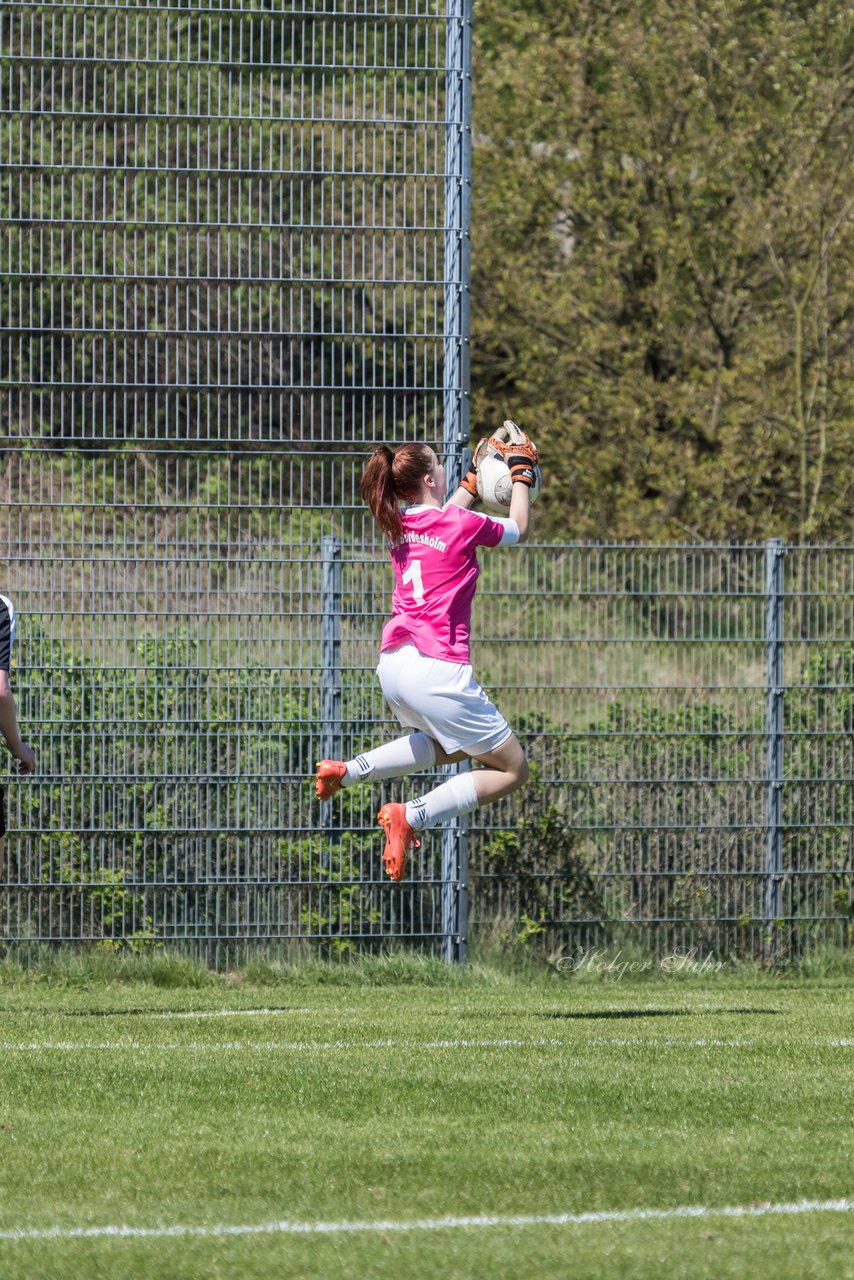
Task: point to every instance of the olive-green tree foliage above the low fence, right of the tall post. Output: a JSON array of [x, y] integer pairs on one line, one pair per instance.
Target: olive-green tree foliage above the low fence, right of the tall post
[[663, 246]]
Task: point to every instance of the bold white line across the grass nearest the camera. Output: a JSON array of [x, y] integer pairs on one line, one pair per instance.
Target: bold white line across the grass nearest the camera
[[428, 1224]]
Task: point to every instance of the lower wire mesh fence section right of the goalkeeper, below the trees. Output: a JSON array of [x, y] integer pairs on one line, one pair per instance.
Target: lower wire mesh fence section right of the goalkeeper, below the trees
[[689, 715]]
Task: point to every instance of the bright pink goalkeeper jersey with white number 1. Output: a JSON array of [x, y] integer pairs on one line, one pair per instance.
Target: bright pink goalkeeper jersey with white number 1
[[436, 575]]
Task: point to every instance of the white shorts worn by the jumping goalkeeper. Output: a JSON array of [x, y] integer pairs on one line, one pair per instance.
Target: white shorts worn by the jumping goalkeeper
[[442, 700]]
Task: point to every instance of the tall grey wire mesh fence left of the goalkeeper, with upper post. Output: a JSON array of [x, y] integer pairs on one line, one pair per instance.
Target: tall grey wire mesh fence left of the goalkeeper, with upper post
[[227, 240]]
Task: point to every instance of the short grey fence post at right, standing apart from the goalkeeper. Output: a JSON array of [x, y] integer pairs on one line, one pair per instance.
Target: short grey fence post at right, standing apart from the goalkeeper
[[775, 552]]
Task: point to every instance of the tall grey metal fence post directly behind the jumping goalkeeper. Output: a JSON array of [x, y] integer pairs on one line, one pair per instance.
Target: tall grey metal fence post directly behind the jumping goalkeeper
[[456, 382]]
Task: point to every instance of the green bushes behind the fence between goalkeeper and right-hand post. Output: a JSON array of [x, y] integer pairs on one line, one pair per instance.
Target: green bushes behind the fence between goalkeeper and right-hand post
[[634, 843]]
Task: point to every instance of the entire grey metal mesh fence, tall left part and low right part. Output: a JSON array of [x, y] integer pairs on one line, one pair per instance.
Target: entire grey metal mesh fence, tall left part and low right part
[[234, 259]]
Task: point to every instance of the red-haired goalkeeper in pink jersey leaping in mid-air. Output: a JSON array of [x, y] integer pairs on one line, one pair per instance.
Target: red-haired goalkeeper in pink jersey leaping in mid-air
[[424, 668]]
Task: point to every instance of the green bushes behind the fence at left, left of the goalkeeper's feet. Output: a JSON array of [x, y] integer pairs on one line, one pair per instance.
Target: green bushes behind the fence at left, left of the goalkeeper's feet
[[153, 853]]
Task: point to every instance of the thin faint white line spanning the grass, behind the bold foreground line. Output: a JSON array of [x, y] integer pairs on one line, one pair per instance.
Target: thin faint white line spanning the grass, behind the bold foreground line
[[339, 1046]]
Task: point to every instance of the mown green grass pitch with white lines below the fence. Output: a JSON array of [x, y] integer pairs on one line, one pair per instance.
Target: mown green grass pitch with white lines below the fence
[[386, 1095]]
